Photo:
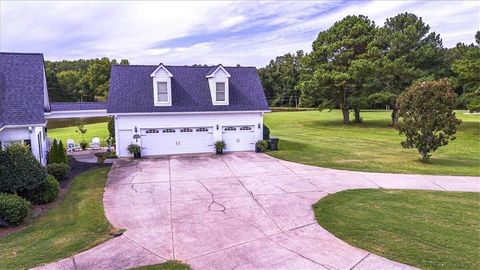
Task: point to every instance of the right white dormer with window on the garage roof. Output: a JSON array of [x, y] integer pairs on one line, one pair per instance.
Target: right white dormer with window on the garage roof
[[218, 83]]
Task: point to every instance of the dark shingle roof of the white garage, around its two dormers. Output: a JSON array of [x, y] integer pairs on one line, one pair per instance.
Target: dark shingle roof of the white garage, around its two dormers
[[131, 90]]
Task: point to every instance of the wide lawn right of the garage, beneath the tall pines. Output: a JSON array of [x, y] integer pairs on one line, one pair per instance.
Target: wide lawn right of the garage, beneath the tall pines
[[319, 139]]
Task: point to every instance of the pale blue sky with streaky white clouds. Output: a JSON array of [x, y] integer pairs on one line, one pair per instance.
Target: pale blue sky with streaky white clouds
[[185, 33]]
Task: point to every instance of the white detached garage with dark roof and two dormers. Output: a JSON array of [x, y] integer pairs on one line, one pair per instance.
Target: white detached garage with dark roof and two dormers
[[186, 109]]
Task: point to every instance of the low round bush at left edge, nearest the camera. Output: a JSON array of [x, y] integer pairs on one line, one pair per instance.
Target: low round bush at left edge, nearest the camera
[[13, 209]]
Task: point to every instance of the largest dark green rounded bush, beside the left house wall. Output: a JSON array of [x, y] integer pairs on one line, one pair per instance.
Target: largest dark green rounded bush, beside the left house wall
[[19, 169]]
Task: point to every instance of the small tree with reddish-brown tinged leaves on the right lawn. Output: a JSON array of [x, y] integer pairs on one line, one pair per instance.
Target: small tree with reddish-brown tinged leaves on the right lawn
[[428, 117]]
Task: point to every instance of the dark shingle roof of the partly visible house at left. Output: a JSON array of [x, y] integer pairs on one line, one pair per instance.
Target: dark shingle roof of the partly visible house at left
[[21, 89]]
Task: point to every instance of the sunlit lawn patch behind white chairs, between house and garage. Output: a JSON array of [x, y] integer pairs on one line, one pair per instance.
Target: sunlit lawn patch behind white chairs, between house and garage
[[99, 130]]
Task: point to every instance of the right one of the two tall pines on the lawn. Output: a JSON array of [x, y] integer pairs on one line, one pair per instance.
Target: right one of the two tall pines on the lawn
[[405, 51]]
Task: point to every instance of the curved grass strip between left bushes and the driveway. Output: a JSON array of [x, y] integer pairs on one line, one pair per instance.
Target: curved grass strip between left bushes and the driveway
[[76, 224]]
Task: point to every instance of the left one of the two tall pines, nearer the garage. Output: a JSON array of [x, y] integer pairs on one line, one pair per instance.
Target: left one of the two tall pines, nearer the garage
[[328, 73]]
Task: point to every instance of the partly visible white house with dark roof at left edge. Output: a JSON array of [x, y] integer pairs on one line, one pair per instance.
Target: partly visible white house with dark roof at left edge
[[23, 101]]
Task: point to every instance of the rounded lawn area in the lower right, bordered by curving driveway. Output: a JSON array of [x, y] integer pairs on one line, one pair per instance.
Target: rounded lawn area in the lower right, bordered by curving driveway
[[426, 229]]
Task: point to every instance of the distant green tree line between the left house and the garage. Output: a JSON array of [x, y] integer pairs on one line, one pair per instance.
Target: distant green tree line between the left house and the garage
[[79, 80]]
